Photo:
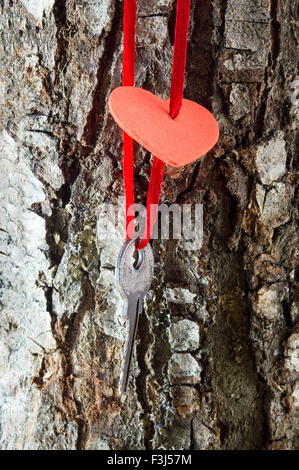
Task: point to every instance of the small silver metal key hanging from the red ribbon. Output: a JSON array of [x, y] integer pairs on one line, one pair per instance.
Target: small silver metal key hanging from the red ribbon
[[134, 280]]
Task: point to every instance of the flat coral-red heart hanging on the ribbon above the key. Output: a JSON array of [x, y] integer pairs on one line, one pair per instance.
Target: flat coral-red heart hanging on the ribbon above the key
[[145, 117]]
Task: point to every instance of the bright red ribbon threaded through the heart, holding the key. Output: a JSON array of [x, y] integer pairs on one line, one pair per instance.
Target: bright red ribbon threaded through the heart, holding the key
[[176, 96]]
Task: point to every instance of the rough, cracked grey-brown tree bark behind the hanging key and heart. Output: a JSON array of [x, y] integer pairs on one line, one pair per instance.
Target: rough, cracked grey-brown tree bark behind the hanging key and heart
[[231, 382]]
